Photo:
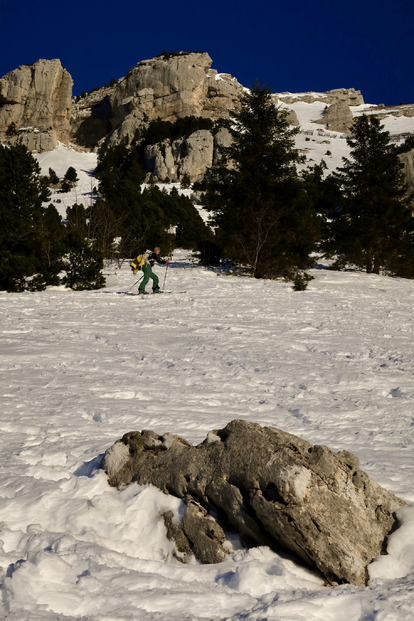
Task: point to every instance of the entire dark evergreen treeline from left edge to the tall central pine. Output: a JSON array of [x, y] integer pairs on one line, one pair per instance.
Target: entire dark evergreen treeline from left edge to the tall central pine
[[38, 249]]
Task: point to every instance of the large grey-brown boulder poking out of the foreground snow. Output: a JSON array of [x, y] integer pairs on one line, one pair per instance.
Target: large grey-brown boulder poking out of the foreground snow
[[274, 488]]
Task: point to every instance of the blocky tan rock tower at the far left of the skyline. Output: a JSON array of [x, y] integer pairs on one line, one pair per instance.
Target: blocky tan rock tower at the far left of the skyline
[[35, 105]]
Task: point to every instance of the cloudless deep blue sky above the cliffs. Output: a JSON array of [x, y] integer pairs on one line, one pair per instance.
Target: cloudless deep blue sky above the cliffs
[[288, 46]]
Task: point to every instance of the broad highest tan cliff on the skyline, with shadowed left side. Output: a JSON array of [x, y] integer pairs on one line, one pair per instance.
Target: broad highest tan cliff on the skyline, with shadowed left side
[[167, 87]]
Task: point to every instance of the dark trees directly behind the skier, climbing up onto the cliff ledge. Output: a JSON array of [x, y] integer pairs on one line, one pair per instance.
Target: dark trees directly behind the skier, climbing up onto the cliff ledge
[[146, 217]]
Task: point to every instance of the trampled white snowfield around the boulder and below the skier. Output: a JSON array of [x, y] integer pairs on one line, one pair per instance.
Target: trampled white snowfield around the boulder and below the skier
[[333, 364]]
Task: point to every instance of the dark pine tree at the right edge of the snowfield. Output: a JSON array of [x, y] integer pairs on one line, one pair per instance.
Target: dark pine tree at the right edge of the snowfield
[[372, 226]]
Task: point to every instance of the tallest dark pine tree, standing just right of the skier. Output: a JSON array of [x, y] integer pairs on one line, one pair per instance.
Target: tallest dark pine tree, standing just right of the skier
[[263, 216]]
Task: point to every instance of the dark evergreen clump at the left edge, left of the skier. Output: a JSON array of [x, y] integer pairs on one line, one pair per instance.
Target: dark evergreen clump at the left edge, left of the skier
[[36, 248]]
